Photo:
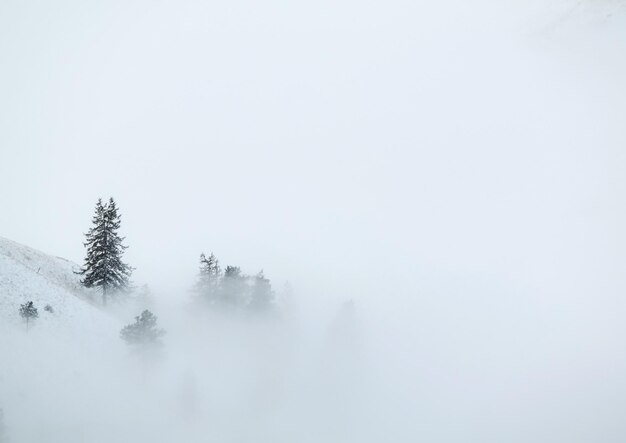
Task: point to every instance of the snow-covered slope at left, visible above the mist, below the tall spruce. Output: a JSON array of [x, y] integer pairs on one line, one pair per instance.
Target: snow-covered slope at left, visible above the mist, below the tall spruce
[[27, 274]]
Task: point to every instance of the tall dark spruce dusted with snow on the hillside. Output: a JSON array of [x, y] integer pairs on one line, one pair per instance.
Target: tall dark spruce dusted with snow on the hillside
[[103, 266]]
